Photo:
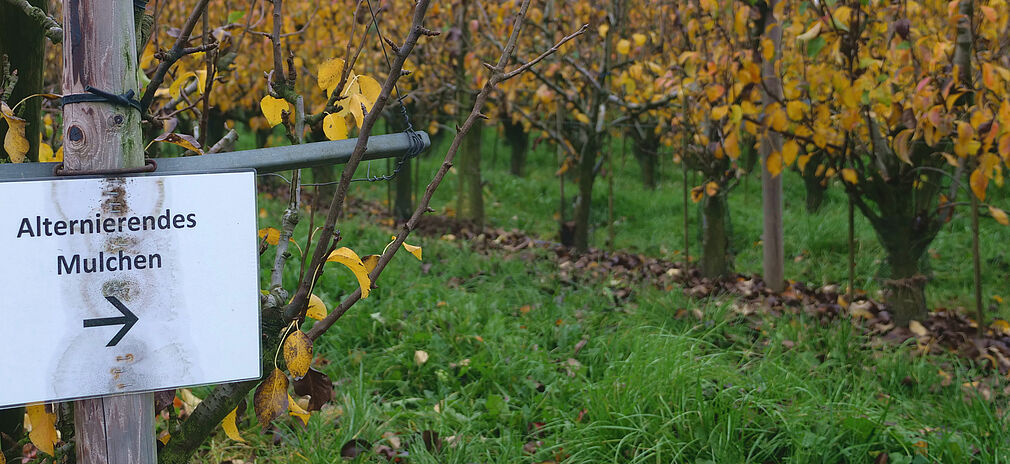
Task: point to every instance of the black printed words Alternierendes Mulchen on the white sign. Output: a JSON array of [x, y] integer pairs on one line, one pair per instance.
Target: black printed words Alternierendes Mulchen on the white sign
[[76, 264]]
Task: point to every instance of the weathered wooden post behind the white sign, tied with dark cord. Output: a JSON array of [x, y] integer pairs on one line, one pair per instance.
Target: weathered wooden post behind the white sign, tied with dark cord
[[100, 51]]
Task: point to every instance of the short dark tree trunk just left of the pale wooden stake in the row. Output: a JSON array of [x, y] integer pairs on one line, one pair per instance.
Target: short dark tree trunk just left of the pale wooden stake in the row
[[717, 260]]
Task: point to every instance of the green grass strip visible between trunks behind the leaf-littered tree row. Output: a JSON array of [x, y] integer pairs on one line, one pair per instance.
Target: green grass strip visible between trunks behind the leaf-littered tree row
[[652, 223]]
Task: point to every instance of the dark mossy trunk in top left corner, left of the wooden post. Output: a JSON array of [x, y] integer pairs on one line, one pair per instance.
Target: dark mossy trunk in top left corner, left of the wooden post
[[24, 44]]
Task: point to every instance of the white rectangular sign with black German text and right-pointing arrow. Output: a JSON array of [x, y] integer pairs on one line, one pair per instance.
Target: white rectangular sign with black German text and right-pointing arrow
[[127, 285]]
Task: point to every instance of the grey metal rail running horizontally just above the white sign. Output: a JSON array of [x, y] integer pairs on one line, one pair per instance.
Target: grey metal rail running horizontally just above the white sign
[[263, 160]]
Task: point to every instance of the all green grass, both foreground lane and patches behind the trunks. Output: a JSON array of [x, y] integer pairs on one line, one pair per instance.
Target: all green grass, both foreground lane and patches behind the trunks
[[524, 368]]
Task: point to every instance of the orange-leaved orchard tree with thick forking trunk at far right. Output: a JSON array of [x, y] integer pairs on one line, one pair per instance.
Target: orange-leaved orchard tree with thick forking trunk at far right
[[902, 102]]
